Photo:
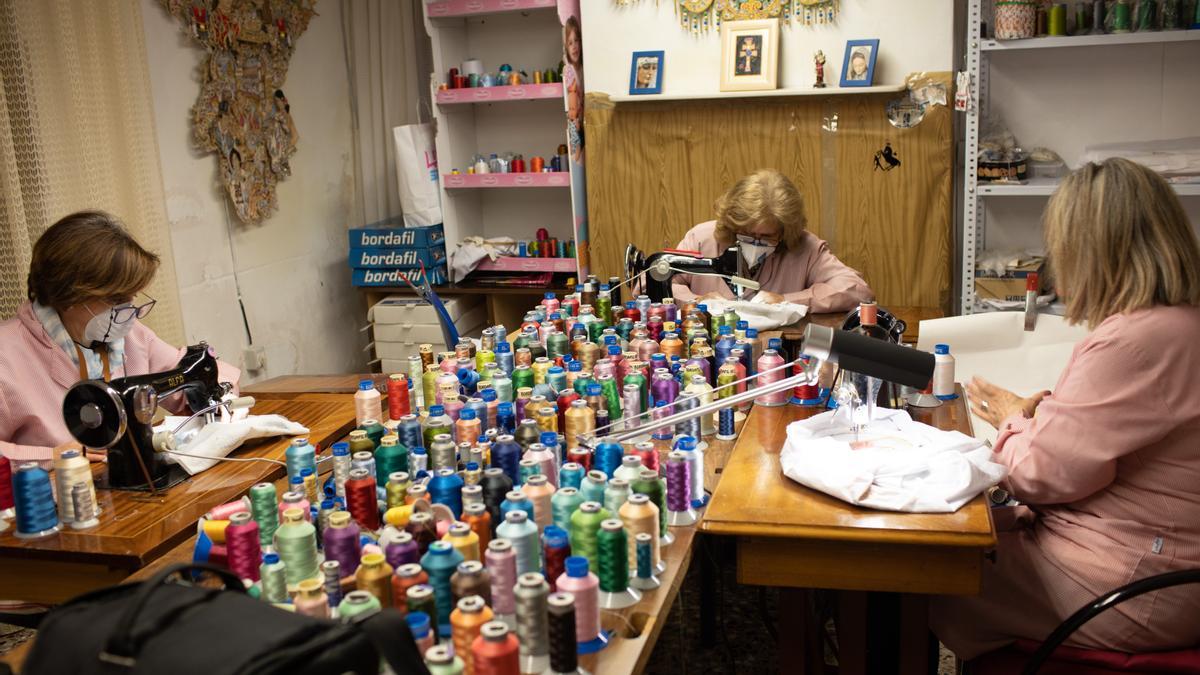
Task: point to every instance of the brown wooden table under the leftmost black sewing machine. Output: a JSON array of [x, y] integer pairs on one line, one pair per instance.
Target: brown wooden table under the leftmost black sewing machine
[[136, 529]]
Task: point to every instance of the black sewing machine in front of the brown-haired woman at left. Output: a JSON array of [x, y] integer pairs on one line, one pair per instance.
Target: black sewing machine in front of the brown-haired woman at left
[[118, 416]]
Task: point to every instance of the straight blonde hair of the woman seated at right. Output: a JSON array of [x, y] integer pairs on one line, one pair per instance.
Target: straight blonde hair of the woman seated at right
[[1119, 241]]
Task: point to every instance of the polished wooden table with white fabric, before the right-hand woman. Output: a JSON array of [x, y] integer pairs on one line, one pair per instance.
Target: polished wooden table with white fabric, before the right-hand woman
[[794, 537]]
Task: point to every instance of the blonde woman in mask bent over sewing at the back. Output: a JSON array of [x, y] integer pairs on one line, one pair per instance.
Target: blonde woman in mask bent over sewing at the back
[[764, 216]]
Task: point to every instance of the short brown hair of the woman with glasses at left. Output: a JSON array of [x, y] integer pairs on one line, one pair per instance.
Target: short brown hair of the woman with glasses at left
[[88, 256]]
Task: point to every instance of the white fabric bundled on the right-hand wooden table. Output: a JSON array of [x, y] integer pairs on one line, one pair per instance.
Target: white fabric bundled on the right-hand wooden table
[[898, 465]]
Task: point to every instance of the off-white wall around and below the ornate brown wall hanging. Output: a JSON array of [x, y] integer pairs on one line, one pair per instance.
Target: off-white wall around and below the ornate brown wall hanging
[[292, 268]]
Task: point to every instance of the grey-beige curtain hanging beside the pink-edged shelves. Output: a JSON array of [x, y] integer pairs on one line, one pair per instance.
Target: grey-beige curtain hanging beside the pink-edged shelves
[[387, 51]]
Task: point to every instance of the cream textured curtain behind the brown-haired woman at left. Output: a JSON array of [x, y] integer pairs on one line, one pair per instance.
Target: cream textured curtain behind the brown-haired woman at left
[[77, 133]]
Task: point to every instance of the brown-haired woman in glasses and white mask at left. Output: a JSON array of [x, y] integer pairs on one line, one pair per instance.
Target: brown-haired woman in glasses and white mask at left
[[86, 297]]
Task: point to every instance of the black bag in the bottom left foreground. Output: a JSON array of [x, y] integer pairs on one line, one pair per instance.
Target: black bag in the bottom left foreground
[[158, 628]]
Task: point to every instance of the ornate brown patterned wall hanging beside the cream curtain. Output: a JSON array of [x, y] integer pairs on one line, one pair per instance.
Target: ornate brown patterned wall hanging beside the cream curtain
[[242, 114]]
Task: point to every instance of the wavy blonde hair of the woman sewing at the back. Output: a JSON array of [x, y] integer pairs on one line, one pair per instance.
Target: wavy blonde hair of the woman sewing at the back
[[766, 196]]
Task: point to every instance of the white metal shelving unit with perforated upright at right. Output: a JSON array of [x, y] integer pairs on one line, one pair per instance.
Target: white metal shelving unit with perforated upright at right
[[979, 64]]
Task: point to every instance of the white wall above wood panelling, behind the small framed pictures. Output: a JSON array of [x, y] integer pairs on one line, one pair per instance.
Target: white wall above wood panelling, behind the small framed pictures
[[915, 35]]
